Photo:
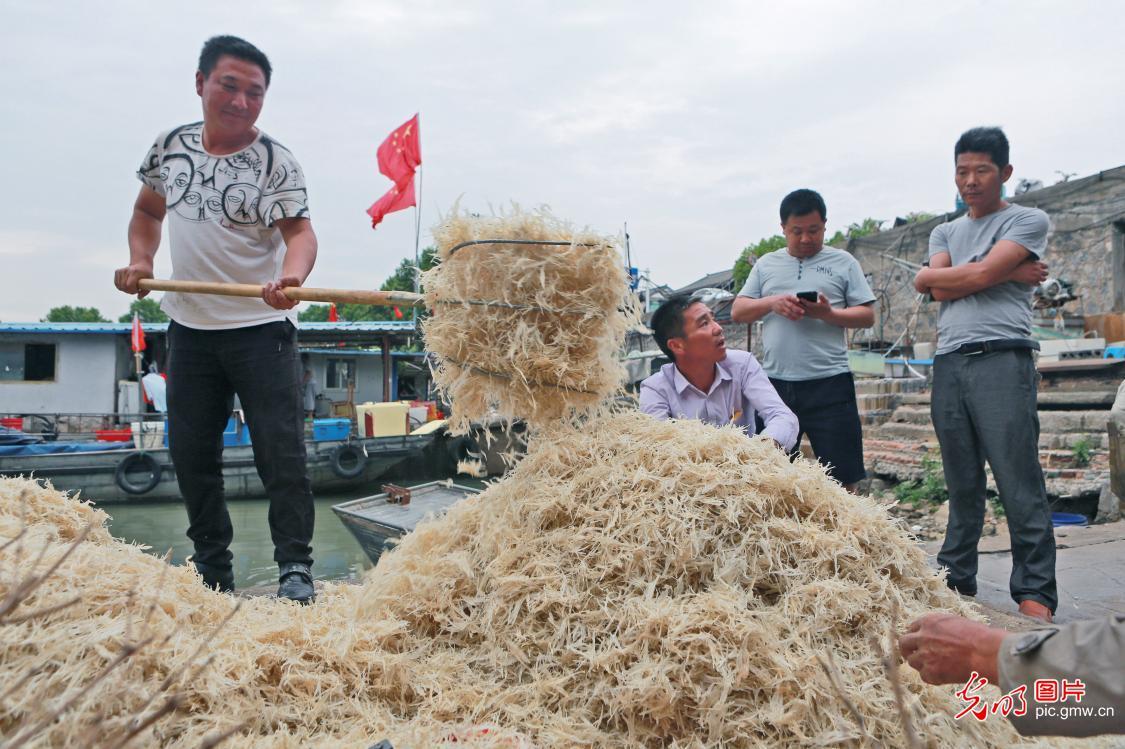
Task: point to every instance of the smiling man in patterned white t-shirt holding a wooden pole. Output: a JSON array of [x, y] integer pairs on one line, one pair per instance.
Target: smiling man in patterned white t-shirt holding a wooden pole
[[237, 211]]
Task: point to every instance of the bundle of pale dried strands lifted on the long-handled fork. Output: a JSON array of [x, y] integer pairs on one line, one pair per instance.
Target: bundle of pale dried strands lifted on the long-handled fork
[[529, 317]]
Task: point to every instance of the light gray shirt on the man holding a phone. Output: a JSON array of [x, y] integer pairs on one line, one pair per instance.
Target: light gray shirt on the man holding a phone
[[807, 349]]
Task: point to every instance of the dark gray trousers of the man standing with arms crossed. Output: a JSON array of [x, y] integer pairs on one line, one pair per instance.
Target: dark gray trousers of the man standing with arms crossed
[[984, 409]]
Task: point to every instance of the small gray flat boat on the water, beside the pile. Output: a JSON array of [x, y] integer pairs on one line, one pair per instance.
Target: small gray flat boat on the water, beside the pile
[[379, 521]]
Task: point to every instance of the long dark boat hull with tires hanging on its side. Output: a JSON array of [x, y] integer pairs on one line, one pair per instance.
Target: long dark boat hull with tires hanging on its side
[[111, 473]]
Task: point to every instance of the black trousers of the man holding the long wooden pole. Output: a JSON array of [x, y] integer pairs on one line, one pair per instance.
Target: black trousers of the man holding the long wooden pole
[[205, 371]]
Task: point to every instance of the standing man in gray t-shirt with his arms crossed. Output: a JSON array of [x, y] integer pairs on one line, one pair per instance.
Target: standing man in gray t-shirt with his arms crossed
[[984, 404]]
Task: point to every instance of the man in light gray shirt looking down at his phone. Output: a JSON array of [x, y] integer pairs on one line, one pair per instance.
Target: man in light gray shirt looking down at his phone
[[807, 295]]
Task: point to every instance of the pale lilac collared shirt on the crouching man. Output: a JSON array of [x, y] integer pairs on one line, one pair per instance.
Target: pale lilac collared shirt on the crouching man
[[741, 390]]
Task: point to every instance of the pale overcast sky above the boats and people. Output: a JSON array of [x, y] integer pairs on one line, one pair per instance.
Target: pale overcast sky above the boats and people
[[688, 121]]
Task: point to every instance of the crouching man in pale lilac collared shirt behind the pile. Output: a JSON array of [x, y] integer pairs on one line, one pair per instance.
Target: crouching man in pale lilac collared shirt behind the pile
[[708, 383]]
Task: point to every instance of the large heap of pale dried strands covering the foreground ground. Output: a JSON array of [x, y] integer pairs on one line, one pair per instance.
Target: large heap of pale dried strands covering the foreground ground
[[632, 583]]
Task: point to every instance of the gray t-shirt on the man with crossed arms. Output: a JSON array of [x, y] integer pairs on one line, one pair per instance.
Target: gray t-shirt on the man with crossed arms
[[1002, 312]]
